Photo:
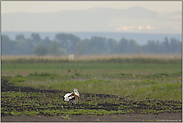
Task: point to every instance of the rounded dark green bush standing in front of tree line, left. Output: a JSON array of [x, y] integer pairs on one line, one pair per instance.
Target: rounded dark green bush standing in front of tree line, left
[[40, 51]]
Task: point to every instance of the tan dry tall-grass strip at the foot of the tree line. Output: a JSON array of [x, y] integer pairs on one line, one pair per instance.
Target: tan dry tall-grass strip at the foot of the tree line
[[143, 58]]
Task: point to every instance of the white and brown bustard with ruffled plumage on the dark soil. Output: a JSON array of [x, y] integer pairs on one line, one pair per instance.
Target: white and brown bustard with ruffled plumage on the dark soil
[[72, 97]]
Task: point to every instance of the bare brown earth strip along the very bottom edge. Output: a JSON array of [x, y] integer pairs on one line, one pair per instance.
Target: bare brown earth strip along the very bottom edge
[[162, 117]]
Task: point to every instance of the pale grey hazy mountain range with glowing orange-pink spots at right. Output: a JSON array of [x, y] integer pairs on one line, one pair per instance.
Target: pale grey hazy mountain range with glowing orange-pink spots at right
[[94, 20]]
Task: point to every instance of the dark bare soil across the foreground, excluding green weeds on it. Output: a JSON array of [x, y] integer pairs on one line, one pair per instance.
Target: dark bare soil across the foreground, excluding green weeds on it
[[135, 116]]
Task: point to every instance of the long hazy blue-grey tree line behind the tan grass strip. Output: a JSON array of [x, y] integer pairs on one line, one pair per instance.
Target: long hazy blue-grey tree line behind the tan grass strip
[[64, 44]]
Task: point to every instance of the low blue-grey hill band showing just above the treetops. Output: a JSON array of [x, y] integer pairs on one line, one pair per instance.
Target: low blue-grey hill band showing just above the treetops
[[140, 38]]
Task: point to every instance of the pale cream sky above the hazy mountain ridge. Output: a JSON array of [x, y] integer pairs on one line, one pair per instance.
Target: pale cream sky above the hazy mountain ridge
[[53, 6]]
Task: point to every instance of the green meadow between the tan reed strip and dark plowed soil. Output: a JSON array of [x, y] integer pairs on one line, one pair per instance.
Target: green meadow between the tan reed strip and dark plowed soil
[[137, 80]]
